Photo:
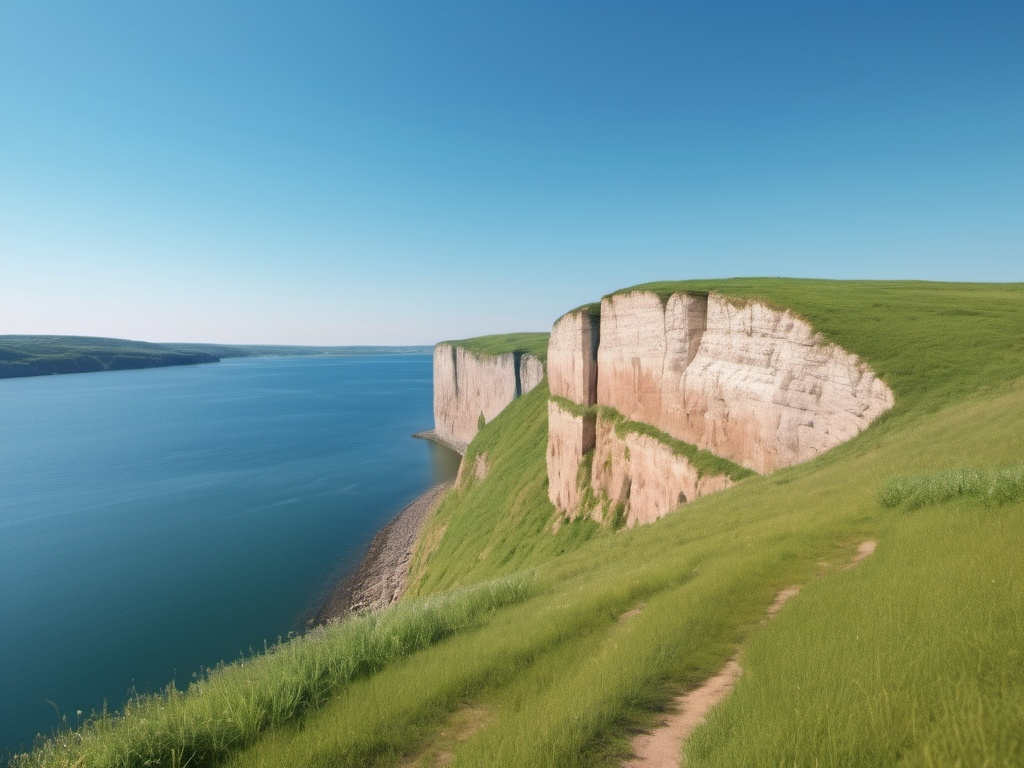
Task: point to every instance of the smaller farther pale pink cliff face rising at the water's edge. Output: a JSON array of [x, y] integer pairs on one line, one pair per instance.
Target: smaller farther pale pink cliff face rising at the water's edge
[[468, 386]]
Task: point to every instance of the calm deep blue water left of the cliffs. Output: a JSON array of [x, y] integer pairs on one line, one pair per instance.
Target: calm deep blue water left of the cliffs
[[156, 523]]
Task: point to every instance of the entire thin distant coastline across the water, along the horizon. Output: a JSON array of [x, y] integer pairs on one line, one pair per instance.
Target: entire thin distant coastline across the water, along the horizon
[[44, 356]]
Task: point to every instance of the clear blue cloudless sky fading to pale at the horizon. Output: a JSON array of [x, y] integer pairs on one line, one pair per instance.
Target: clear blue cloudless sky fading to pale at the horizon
[[402, 173]]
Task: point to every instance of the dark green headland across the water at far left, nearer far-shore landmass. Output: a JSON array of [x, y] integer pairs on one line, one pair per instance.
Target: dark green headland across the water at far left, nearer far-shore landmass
[[41, 356]]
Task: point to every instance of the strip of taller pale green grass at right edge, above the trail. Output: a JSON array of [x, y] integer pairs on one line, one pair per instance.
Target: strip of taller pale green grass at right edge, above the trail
[[994, 487]]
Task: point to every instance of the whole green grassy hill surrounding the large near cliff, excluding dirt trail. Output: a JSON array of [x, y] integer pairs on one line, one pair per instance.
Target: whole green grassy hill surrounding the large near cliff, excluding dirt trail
[[528, 643]]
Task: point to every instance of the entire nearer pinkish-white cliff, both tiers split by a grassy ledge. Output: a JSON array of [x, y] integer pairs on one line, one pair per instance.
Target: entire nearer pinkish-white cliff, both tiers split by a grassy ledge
[[752, 385]]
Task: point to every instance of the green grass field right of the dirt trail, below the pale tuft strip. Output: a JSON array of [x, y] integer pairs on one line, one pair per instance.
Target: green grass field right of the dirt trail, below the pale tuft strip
[[916, 658]]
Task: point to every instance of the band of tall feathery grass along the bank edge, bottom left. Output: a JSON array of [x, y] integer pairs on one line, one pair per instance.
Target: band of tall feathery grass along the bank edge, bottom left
[[235, 705]]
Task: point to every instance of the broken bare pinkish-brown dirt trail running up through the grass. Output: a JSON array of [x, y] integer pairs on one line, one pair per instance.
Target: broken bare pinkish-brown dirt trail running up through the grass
[[663, 747]]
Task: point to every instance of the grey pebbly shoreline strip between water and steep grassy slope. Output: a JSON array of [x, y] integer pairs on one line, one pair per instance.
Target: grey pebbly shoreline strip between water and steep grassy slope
[[380, 578]]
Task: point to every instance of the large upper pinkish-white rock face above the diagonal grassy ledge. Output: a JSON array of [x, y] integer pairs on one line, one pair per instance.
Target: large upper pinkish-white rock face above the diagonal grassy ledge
[[747, 382]]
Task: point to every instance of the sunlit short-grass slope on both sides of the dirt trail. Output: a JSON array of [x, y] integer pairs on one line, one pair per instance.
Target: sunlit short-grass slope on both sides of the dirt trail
[[915, 654]]
